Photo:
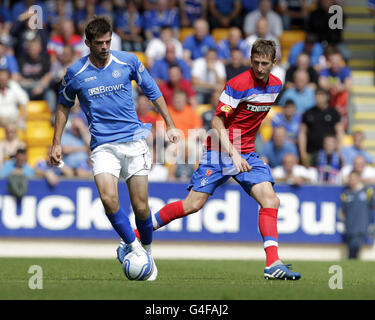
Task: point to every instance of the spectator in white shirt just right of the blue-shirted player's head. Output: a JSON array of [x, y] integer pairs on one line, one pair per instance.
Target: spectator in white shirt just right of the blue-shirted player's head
[[157, 47]]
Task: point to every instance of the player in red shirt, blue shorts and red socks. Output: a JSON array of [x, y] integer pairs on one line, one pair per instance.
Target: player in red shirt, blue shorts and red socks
[[243, 105]]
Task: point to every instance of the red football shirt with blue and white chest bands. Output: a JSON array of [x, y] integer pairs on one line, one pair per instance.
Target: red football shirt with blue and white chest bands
[[245, 102]]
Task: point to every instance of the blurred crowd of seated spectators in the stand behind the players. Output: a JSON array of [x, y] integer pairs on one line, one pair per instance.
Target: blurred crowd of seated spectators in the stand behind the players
[[307, 135]]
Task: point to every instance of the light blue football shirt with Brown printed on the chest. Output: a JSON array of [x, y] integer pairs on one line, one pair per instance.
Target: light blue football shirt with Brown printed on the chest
[[105, 96]]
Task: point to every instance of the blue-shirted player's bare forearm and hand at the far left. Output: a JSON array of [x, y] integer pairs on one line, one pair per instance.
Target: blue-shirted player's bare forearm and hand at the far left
[[62, 114]]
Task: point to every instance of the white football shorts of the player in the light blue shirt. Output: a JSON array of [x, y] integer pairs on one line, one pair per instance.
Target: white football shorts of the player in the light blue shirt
[[122, 160]]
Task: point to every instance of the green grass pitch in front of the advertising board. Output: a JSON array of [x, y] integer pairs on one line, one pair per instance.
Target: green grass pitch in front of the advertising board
[[183, 280]]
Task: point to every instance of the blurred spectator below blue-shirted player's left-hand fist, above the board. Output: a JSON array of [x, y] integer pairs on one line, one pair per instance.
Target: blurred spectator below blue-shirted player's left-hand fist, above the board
[[50, 173]]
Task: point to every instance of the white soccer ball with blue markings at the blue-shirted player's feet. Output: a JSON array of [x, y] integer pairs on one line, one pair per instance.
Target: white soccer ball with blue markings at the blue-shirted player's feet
[[138, 265]]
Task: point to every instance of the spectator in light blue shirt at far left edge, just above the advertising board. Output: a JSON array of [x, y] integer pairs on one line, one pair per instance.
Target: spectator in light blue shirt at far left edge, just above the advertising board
[[17, 165]]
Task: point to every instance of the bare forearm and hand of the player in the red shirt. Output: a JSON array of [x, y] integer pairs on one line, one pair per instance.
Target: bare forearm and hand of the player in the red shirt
[[240, 163]]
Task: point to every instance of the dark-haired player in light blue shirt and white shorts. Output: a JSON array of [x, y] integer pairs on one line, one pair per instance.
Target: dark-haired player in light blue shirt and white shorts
[[102, 83]]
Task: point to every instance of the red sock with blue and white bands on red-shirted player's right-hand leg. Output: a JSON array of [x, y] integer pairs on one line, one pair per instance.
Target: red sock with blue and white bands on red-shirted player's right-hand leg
[[268, 230]]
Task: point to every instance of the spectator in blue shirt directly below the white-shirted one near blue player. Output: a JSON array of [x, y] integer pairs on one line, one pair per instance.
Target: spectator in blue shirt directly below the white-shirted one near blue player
[[160, 69]]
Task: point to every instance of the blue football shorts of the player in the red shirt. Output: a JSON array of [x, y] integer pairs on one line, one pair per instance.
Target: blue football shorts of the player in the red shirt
[[215, 168]]
